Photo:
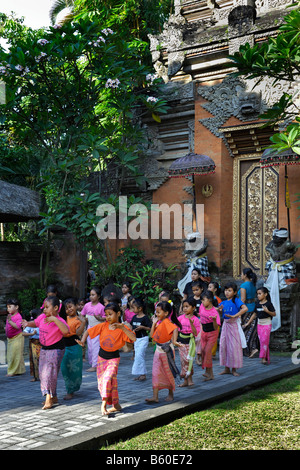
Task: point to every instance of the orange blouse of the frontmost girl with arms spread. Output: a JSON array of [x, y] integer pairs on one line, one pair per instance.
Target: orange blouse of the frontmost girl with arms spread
[[110, 340]]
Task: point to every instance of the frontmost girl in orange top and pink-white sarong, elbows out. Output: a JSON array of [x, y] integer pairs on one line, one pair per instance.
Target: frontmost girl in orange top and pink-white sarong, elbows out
[[112, 336]]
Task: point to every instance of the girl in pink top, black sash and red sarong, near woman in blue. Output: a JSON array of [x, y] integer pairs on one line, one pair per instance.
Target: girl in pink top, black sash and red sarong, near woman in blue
[[210, 320]]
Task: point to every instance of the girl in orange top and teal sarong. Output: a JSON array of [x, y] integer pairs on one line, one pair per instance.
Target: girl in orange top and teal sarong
[[71, 365]]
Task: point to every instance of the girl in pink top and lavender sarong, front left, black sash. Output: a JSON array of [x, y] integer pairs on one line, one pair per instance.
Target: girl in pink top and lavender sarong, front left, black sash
[[52, 328]]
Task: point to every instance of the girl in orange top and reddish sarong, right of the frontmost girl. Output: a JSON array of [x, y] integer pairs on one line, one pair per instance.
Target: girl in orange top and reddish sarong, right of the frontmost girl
[[164, 332]]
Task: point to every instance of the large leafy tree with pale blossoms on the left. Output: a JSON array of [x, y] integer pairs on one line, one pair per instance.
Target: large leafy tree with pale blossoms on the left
[[75, 94]]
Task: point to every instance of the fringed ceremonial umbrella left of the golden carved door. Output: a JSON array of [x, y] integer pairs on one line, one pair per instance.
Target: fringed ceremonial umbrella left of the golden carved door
[[192, 164]]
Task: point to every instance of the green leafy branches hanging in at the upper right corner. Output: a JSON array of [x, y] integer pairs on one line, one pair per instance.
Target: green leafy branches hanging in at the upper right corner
[[279, 58]]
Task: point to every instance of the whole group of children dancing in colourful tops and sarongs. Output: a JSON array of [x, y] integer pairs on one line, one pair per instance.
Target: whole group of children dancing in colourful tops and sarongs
[[59, 330]]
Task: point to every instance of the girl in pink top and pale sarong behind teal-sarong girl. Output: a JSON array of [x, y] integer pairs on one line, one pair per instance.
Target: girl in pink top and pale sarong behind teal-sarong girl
[[94, 313]]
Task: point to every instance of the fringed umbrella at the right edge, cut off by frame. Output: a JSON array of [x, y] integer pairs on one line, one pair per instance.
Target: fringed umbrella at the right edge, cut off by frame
[[271, 157]]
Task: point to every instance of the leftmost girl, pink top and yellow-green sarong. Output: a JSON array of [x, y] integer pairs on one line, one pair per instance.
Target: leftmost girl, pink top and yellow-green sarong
[[15, 339]]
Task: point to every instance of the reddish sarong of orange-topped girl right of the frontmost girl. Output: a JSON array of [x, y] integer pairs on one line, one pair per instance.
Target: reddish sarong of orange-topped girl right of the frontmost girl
[[162, 376]]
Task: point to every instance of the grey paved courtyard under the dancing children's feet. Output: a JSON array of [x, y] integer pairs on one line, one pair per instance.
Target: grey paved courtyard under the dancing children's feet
[[78, 423]]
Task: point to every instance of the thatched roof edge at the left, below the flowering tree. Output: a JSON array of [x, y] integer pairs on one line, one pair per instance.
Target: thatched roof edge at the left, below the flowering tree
[[18, 204]]
